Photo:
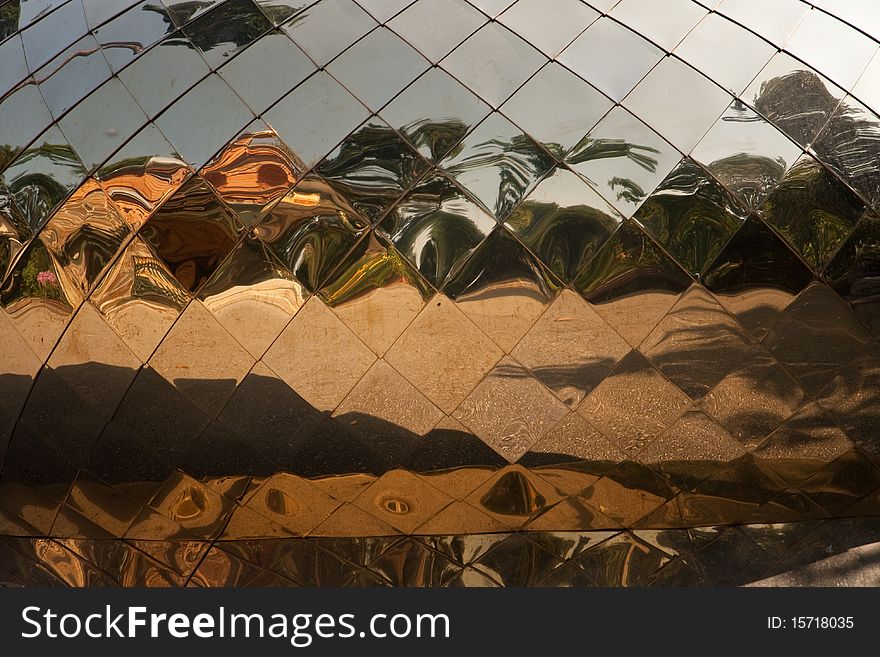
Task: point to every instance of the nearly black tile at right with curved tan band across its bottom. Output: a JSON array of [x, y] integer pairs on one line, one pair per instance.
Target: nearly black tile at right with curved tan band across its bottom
[[756, 277]]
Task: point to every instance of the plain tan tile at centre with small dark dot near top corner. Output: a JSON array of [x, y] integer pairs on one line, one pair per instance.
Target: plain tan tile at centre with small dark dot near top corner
[[443, 354]]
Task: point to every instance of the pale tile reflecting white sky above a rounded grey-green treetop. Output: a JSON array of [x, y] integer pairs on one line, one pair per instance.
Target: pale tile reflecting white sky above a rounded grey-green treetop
[[746, 154]]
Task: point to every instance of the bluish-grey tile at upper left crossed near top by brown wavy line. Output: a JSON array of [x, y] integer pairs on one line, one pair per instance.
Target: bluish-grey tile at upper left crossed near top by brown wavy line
[[72, 75]]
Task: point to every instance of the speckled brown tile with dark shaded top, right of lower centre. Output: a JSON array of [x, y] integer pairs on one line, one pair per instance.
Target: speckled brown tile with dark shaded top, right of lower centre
[[634, 405]]
